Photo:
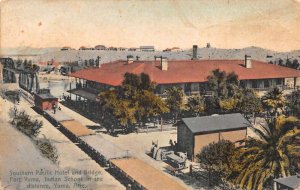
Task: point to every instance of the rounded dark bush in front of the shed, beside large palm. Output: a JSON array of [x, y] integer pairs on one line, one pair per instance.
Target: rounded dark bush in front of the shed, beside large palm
[[219, 158]]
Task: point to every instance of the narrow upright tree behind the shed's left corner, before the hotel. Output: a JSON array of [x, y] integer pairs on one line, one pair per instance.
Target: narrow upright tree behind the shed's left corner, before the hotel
[[174, 101]]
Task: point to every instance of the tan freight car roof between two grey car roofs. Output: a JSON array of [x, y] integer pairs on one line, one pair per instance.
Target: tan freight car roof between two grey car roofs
[[76, 128]]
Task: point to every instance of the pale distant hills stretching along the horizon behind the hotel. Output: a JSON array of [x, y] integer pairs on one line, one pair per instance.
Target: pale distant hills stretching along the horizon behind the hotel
[[47, 54]]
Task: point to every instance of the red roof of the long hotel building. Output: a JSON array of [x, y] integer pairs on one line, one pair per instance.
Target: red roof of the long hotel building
[[183, 71]]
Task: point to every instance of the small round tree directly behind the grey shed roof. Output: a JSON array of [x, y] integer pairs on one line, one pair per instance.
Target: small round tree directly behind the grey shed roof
[[195, 105]]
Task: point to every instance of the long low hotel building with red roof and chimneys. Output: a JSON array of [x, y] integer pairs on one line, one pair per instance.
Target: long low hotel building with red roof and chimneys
[[190, 75]]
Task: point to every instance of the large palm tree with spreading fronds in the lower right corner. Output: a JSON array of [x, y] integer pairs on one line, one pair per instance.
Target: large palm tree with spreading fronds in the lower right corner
[[274, 154]]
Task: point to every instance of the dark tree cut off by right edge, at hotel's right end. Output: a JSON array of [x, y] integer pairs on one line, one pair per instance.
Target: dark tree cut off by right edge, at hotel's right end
[[293, 103]]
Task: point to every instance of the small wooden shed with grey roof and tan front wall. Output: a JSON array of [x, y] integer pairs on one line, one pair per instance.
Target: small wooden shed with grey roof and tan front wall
[[196, 132]]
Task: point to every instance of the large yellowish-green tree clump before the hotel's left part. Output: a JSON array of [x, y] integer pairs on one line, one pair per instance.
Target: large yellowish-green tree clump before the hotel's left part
[[133, 102]]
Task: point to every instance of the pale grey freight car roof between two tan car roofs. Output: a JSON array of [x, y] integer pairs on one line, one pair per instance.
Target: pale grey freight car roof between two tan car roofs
[[106, 148]]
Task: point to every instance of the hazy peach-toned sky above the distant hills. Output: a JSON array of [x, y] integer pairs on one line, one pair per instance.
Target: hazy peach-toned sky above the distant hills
[[271, 24]]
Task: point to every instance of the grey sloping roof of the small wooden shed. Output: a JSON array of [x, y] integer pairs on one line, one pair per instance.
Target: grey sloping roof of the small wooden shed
[[213, 123]]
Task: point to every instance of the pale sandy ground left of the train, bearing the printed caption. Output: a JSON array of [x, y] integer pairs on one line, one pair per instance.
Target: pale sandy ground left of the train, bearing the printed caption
[[19, 153]]
